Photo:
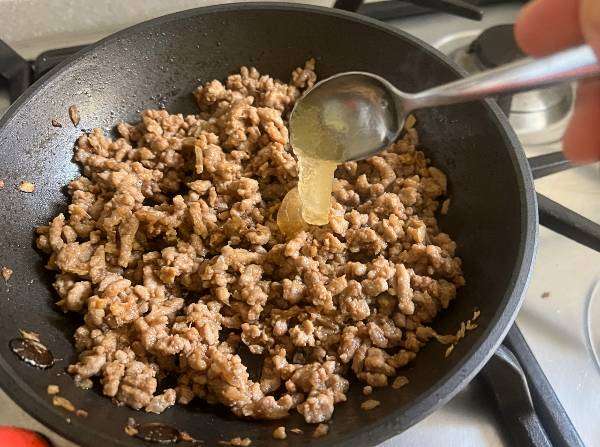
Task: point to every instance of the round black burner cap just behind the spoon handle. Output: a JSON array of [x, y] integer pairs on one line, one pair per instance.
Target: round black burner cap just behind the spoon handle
[[496, 46]]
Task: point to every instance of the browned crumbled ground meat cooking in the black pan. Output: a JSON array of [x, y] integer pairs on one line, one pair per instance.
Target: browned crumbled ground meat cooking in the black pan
[[171, 252]]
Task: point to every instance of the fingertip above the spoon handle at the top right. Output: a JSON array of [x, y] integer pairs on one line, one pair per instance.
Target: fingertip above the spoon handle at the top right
[[547, 26]]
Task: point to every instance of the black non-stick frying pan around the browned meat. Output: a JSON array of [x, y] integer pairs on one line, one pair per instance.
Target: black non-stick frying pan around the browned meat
[[492, 217]]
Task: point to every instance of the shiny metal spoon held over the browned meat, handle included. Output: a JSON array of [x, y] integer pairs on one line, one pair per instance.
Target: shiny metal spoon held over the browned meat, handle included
[[364, 113]]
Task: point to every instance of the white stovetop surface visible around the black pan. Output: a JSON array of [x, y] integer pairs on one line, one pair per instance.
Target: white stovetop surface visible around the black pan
[[553, 326]]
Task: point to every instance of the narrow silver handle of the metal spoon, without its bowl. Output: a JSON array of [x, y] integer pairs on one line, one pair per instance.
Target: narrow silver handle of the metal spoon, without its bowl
[[527, 74]]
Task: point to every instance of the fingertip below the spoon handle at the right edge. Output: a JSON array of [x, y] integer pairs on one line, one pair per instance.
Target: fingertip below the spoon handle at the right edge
[[582, 138]]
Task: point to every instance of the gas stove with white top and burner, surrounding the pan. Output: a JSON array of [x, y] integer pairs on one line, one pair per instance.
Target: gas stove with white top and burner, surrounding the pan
[[553, 356]]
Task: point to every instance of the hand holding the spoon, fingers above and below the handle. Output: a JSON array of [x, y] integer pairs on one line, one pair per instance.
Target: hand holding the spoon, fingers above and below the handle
[[548, 26]]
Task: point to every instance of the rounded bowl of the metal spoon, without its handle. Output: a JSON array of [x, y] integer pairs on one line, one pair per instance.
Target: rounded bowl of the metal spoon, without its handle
[[352, 115]]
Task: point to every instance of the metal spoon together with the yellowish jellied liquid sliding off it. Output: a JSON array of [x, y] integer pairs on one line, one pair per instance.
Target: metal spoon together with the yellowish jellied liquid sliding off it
[[354, 115]]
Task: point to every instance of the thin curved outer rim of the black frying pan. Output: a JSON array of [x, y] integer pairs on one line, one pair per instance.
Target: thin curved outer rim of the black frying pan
[[455, 378]]
